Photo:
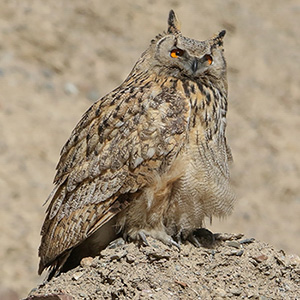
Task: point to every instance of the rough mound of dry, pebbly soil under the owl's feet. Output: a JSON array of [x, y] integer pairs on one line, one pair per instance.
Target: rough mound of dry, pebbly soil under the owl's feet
[[234, 268]]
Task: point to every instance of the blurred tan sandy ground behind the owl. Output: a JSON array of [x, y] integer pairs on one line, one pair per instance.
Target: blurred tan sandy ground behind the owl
[[57, 57]]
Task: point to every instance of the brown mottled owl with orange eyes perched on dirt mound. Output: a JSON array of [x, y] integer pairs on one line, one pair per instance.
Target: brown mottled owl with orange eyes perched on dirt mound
[[148, 159]]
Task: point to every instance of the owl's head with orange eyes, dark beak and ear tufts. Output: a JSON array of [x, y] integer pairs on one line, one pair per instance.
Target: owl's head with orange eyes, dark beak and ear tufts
[[176, 55]]
